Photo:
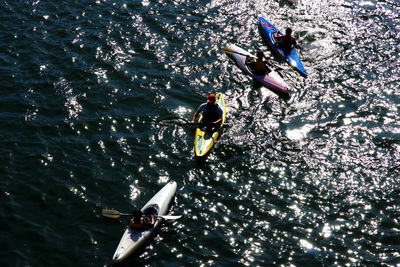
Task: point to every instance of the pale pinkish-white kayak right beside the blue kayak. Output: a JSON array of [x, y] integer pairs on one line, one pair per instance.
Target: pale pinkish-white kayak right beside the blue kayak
[[271, 80]]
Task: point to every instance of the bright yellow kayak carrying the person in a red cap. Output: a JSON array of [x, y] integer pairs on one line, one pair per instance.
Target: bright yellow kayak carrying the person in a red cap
[[205, 140]]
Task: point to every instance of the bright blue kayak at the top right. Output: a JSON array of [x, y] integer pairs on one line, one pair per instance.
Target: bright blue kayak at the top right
[[290, 56]]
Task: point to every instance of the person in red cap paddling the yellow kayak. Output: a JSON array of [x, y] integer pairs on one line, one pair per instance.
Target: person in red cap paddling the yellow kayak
[[212, 114]]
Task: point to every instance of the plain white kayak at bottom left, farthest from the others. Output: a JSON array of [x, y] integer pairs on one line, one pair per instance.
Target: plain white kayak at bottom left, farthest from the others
[[133, 239]]
